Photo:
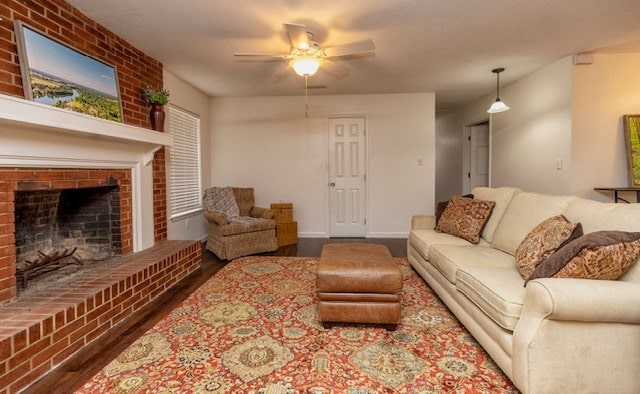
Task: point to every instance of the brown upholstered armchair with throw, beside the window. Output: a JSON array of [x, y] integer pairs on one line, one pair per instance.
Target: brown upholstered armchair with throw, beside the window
[[237, 227]]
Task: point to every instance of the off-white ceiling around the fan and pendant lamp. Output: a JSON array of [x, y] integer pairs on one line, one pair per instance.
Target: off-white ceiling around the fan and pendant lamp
[[443, 46]]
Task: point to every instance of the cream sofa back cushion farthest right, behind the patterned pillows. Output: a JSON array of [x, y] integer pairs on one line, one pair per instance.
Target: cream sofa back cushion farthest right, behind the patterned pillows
[[599, 216]]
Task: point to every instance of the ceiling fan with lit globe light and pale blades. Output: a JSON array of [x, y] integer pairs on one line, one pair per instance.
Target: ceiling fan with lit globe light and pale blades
[[306, 56]]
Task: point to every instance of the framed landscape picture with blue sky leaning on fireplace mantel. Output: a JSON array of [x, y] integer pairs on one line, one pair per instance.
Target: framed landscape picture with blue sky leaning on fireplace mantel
[[57, 75]]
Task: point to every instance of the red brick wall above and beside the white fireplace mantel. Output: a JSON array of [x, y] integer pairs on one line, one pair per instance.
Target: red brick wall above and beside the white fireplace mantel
[[61, 21]]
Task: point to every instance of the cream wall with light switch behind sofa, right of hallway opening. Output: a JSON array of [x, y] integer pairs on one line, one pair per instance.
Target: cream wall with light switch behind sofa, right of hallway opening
[[527, 140]]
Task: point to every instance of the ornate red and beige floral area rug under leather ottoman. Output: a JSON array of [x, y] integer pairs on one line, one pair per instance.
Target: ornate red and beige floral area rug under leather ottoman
[[253, 328]]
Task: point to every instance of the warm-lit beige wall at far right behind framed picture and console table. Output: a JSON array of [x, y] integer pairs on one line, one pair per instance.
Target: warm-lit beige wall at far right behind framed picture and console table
[[602, 93]]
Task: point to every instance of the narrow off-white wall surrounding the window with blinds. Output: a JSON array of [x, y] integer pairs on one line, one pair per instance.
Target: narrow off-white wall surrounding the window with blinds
[[187, 97]]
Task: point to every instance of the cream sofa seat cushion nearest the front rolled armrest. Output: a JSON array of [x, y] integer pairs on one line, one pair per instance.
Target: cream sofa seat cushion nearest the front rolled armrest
[[498, 291]]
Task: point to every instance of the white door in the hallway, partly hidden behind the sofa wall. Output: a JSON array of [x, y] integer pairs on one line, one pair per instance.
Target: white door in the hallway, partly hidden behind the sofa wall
[[478, 174]]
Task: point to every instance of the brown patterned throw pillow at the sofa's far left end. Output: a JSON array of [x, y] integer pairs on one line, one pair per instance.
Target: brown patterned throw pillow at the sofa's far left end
[[465, 218]]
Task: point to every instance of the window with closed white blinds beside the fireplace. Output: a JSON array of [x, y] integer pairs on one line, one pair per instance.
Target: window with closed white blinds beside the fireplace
[[184, 162]]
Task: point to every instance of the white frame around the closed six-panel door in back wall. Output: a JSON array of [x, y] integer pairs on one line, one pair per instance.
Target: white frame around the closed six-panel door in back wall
[[366, 169]]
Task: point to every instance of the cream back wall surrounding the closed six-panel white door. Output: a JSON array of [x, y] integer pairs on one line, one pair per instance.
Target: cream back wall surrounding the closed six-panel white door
[[268, 143]]
